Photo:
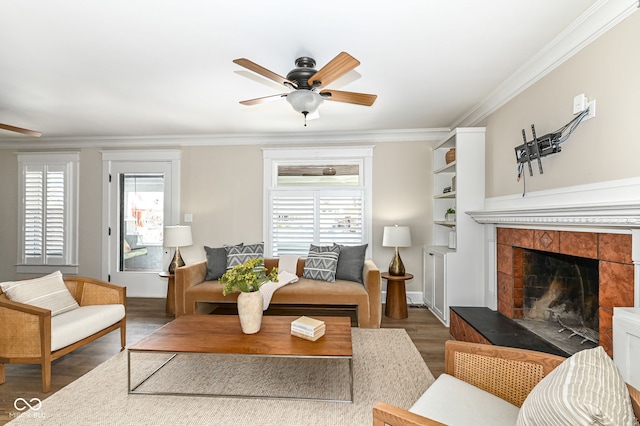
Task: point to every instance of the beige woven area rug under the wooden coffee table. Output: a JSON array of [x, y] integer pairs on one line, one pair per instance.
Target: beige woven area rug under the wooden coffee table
[[386, 367]]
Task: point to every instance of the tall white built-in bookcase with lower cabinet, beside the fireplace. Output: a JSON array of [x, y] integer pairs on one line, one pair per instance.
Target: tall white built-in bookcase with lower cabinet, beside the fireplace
[[454, 275]]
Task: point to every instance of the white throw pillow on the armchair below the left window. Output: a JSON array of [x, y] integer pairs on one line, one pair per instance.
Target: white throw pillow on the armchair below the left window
[[48, 292]]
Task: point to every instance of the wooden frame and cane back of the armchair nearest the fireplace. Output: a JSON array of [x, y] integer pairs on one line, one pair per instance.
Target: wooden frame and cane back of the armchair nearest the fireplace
[[477, 364]]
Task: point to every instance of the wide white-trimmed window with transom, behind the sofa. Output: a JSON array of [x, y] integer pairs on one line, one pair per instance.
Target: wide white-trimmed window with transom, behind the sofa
[[316, 196]]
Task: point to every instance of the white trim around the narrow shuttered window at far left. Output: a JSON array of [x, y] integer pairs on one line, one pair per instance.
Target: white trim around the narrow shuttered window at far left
[[70, 160]]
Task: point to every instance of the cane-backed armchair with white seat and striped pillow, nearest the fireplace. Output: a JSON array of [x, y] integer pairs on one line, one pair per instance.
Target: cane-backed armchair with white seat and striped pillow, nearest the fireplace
[[494, 385]]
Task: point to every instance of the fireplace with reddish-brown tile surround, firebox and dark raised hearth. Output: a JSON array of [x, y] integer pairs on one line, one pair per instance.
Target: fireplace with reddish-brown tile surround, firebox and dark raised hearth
[[611, 253]]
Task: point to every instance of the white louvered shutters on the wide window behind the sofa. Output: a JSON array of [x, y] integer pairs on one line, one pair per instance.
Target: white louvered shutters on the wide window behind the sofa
[[301, 218]]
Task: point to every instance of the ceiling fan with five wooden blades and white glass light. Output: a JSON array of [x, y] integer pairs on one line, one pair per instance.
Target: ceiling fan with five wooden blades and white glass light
[[306, 83]]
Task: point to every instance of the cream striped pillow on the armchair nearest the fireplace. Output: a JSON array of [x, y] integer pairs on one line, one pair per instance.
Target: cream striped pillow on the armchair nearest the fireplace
[[586, 389]]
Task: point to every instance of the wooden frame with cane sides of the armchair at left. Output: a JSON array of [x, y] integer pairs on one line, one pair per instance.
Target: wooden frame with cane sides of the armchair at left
[[25, 335]]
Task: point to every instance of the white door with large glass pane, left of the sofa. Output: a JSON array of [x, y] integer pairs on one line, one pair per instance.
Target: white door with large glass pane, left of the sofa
[[139, 206]]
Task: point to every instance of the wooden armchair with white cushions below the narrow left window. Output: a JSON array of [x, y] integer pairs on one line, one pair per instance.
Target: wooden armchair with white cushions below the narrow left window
[[82, 310]]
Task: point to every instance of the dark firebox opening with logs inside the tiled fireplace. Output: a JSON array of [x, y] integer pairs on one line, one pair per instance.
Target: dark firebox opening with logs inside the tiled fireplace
[[560, 299]]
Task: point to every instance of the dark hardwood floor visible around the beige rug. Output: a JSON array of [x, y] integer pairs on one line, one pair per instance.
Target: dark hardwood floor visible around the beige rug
[[146, 315]]
